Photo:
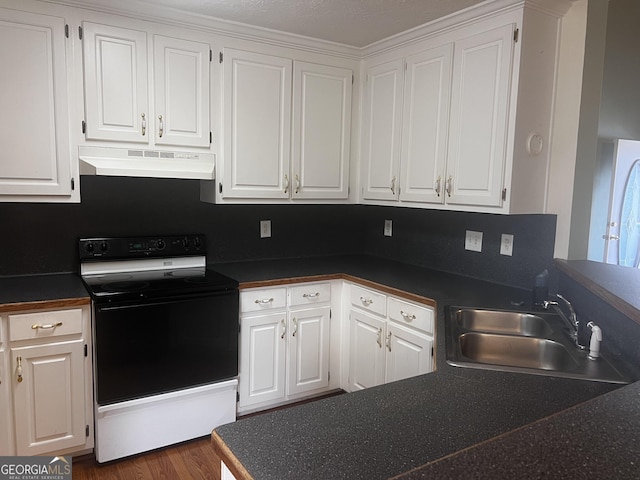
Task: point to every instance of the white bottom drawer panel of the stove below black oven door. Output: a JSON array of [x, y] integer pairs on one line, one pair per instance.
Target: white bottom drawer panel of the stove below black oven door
[[144, 424]]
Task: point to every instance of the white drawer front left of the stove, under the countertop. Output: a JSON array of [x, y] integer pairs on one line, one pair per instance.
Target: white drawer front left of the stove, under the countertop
[[28, 326]]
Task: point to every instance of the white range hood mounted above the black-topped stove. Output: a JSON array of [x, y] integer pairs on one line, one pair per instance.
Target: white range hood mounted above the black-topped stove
[[136, 162]]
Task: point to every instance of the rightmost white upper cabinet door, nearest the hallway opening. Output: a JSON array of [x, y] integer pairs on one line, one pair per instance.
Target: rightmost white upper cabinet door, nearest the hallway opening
[[479, 114]]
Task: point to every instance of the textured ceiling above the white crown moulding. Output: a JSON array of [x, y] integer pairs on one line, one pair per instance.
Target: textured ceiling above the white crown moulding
[[352, 22]]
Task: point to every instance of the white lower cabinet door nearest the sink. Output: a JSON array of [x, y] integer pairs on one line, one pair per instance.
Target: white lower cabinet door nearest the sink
[[409, 353]]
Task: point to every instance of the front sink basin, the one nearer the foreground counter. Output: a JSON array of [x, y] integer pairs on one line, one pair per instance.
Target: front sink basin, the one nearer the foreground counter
[[527, 352]]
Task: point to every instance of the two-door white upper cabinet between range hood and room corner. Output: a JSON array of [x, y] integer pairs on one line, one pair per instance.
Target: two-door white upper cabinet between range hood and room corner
[[287, 128]]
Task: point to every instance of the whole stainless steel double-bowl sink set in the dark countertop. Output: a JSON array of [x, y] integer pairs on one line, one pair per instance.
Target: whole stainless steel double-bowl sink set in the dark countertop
[[524, 342]]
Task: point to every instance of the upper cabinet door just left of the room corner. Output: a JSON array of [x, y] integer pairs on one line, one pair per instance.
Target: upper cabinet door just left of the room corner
[[321, 131]]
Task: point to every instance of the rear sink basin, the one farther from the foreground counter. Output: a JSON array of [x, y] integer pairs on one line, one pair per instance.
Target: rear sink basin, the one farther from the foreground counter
[[498, 321]]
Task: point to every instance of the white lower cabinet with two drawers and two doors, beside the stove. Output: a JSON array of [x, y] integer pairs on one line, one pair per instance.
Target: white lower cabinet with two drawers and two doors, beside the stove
[[284, 344]]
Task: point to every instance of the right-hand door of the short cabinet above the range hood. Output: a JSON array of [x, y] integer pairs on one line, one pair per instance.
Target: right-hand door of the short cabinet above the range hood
[[181, 86]]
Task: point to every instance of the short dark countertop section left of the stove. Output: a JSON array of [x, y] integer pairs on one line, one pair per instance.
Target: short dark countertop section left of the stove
[[41, 291]]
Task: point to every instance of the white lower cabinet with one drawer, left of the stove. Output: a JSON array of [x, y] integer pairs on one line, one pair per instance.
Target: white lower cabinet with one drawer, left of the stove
[[49, 382]]
